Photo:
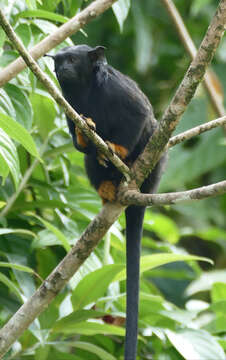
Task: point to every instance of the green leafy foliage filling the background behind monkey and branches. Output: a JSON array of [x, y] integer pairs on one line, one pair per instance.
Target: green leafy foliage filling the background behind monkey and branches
[[50, 202]]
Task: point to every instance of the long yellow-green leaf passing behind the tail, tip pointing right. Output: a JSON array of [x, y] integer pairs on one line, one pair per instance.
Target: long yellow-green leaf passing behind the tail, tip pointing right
[[149, 262]]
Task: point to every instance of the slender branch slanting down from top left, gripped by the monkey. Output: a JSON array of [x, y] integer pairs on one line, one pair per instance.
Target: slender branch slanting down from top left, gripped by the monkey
[[70, 112]]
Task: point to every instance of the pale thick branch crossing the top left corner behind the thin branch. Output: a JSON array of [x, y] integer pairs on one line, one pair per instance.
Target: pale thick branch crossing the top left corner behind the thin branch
[[71, 27]]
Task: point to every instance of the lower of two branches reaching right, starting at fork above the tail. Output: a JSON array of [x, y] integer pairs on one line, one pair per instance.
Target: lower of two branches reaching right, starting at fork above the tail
[[133, 197]]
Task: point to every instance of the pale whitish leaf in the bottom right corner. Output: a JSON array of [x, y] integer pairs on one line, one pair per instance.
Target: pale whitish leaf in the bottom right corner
[[196, 344]]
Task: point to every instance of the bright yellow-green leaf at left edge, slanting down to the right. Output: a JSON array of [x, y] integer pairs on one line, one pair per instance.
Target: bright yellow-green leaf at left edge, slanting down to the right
[[18, 133]]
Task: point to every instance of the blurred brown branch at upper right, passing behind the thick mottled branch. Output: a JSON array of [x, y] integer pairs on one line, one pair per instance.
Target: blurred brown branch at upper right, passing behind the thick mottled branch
[[191, 49]]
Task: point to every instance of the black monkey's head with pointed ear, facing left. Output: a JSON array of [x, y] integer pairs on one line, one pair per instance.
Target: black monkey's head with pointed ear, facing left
[[76, 64]]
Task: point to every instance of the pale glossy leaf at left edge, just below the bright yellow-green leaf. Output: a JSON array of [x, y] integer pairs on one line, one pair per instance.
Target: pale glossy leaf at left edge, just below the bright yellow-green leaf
[[9, 157]]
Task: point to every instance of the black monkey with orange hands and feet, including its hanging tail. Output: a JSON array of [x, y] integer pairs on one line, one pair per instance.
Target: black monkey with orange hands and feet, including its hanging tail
[[122, 115]]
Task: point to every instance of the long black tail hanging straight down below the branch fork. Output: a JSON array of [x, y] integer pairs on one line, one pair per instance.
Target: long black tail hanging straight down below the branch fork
[[134, 226]]
